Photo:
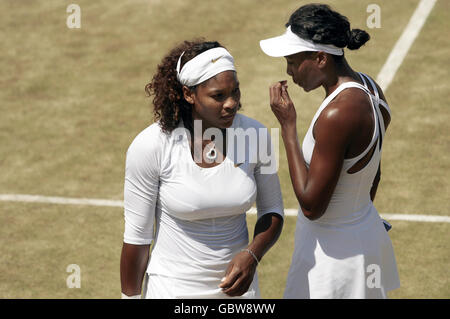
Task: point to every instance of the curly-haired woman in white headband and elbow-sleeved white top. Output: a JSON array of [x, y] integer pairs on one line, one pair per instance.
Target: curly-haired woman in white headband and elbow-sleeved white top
[[188, 192]]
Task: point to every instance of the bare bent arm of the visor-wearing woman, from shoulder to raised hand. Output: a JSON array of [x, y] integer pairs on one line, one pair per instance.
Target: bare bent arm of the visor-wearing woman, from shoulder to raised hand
[[334, 129]]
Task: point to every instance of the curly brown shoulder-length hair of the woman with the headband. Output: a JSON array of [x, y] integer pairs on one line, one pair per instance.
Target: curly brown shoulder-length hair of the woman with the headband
[[169, 103]]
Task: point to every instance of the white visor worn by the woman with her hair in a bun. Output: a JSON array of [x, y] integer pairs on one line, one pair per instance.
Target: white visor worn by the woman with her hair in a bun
[[290, 43]]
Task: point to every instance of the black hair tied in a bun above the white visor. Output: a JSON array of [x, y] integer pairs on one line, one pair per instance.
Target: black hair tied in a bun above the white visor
[[320, 24]]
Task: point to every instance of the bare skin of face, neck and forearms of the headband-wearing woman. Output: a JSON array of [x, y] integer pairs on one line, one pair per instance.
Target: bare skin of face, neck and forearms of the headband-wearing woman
[[215, 102]]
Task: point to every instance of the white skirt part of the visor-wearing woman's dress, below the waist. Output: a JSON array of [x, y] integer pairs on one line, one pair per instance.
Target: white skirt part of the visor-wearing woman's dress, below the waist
[[342, 261]]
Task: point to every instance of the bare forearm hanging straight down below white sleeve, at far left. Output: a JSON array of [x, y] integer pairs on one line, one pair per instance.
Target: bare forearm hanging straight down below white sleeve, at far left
[[133, 263]]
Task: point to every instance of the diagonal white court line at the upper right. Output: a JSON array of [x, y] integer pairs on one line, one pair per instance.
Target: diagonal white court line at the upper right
[[404, 43]]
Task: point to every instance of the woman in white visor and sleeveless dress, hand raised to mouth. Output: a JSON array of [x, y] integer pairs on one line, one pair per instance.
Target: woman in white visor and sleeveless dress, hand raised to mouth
[[342, 248]]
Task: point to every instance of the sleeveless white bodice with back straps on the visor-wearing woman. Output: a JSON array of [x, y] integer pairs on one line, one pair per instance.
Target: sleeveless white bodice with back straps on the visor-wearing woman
[[352, 193]]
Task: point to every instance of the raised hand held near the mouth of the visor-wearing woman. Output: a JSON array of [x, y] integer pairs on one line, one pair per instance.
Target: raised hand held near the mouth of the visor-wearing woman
[[282, 105]]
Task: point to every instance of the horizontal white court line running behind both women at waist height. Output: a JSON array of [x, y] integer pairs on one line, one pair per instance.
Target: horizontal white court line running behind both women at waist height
[[119, 203]]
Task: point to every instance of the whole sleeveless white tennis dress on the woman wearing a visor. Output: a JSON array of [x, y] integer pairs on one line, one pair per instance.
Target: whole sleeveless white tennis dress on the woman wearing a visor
[[346, 253]]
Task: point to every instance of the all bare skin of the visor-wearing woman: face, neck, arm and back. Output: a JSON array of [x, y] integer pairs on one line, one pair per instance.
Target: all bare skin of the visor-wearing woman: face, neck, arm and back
[[343, 130]]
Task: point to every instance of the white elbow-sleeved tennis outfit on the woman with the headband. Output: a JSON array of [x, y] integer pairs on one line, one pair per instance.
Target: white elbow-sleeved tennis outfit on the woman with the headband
[[198, 213]]
